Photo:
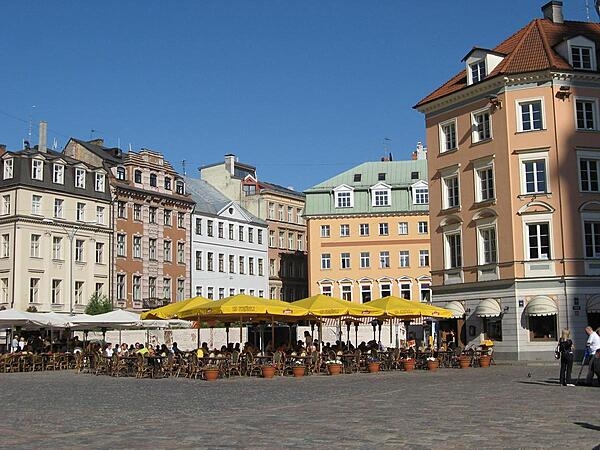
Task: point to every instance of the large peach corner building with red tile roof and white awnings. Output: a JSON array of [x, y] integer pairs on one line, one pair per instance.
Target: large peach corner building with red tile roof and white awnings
[[514, 144]]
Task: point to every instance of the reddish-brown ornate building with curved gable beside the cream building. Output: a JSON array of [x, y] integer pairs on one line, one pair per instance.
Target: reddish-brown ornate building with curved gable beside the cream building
[[151, 216]]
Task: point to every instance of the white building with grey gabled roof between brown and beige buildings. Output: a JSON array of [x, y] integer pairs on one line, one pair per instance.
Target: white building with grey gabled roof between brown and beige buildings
[[229, 246]]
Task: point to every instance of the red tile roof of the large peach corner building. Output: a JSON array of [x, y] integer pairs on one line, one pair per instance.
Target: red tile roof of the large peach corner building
[[528, 50]]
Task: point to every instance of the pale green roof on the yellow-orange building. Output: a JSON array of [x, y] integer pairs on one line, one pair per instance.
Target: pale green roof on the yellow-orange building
[[398, 175]]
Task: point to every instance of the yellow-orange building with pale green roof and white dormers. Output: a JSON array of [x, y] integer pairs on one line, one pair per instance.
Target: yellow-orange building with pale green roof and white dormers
[[368, 232]]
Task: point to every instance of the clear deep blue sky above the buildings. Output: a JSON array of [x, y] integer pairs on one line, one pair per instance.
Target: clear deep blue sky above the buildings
[[301, 89]]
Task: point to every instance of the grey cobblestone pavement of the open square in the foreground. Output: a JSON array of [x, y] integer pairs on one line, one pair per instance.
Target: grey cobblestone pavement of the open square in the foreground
[[499, 407]]
